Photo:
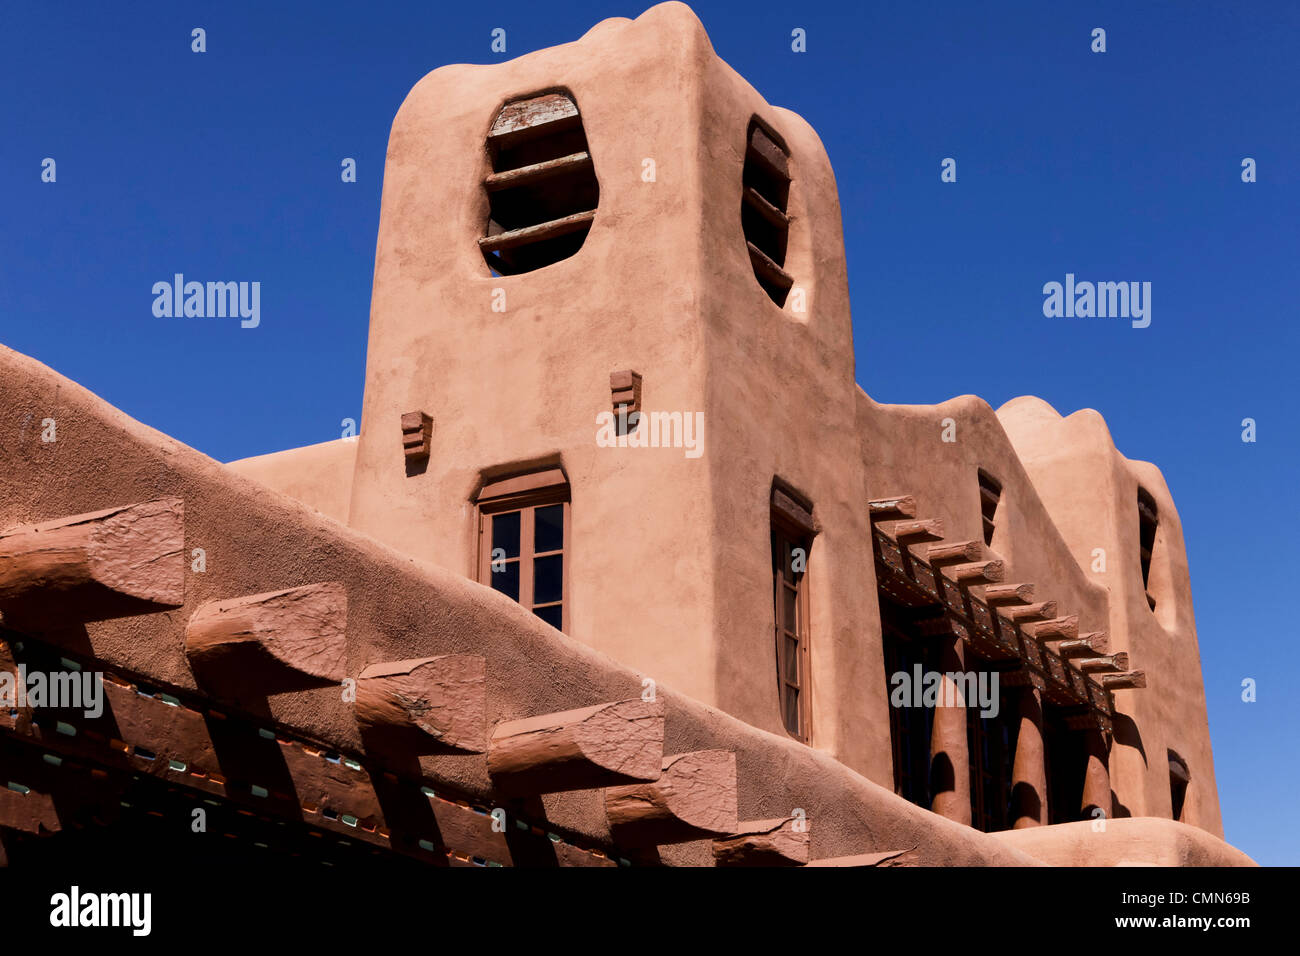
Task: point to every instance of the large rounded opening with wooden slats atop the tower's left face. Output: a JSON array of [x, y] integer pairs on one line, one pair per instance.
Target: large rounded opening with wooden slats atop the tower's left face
[[543, 191]]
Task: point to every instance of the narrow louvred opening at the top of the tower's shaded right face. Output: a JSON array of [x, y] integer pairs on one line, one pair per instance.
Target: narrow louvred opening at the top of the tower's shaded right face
[[765, 193]]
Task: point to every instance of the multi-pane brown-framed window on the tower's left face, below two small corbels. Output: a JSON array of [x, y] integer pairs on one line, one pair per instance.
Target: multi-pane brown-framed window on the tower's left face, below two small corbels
[[523, 538]]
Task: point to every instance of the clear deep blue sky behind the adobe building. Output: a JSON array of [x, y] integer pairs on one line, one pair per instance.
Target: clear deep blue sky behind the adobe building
[[1124, 166]]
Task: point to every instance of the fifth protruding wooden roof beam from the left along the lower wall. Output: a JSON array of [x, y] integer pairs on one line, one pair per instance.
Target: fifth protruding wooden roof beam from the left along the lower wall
[[694, 799]]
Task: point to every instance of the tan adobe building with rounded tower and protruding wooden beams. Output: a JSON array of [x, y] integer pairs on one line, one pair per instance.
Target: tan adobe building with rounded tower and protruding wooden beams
[[623, 568]]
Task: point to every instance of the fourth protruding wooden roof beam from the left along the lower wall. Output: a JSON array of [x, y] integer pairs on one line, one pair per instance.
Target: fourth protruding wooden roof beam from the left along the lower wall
[[603, 746]]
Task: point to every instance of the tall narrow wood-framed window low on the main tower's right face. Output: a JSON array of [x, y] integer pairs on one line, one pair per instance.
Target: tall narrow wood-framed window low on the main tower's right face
[[792, 540]]
